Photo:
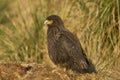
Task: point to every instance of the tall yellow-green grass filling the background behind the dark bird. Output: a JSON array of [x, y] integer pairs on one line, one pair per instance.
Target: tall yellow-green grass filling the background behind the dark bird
[[95, 23]]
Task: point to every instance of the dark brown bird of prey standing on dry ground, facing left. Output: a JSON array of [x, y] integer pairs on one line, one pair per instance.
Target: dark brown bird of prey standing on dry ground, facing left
[[64, 48]]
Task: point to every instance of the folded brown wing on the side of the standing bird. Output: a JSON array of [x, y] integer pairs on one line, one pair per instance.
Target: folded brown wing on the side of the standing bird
[[73, 48]]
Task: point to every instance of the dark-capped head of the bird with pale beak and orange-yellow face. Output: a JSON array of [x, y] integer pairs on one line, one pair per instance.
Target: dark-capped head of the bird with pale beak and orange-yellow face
[[53, 20]]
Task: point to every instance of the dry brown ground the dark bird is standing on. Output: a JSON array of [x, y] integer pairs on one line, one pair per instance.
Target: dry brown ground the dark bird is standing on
[[34, 71]]
